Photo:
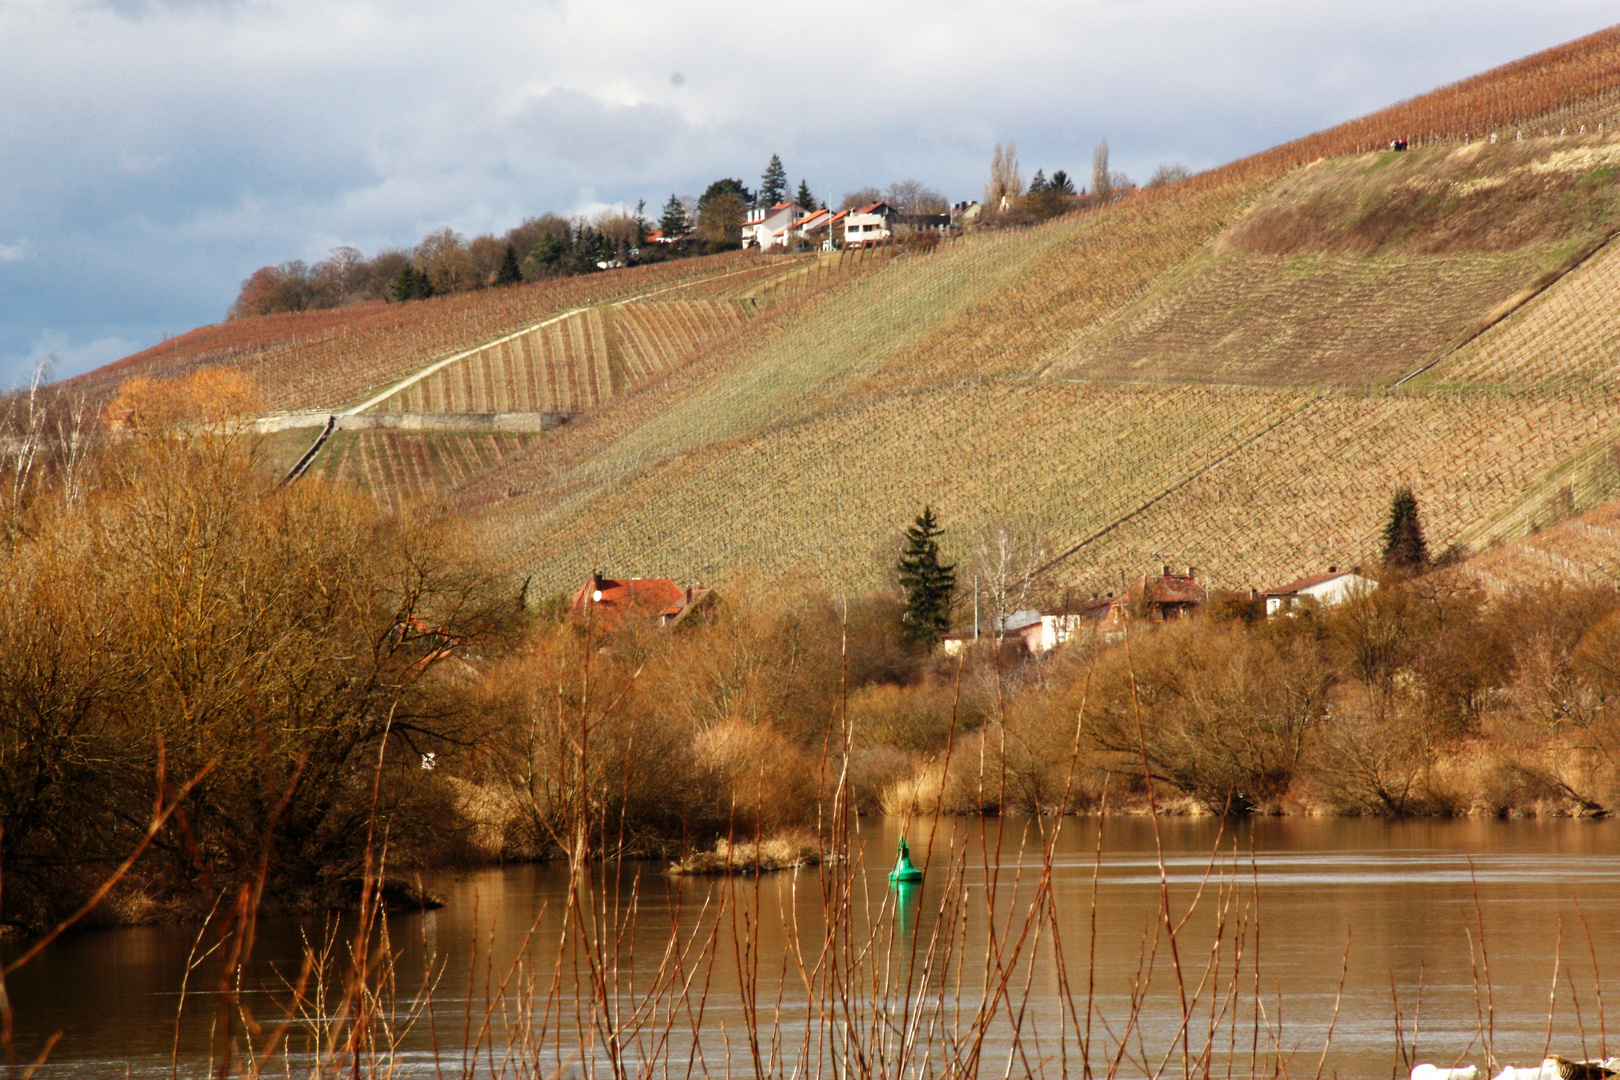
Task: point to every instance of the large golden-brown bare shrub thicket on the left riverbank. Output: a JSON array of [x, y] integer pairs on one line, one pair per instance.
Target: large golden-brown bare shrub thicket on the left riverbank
[[190, 621]]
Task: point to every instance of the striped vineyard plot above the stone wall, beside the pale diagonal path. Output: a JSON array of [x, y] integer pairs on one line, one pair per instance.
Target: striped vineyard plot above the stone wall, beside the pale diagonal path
[[576, 364]]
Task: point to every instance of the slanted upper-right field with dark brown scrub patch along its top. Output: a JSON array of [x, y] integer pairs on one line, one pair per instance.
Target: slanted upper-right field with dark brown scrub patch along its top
[[1363, 270]]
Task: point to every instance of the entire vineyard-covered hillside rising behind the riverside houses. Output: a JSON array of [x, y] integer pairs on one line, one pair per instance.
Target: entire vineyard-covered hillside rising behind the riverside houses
[[1234, 372]]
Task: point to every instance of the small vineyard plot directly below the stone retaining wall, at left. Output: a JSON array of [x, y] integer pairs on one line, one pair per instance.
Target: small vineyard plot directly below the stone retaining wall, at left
[[403, 467]]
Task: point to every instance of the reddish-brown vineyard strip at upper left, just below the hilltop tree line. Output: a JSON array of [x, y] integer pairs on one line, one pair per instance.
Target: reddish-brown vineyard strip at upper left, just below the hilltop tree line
[[333, 359]]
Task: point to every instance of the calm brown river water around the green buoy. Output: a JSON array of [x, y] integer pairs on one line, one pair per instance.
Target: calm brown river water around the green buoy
[[1407, 903]]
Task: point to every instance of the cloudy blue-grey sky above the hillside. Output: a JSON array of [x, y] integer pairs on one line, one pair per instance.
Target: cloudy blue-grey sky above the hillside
[[155, 153]]
